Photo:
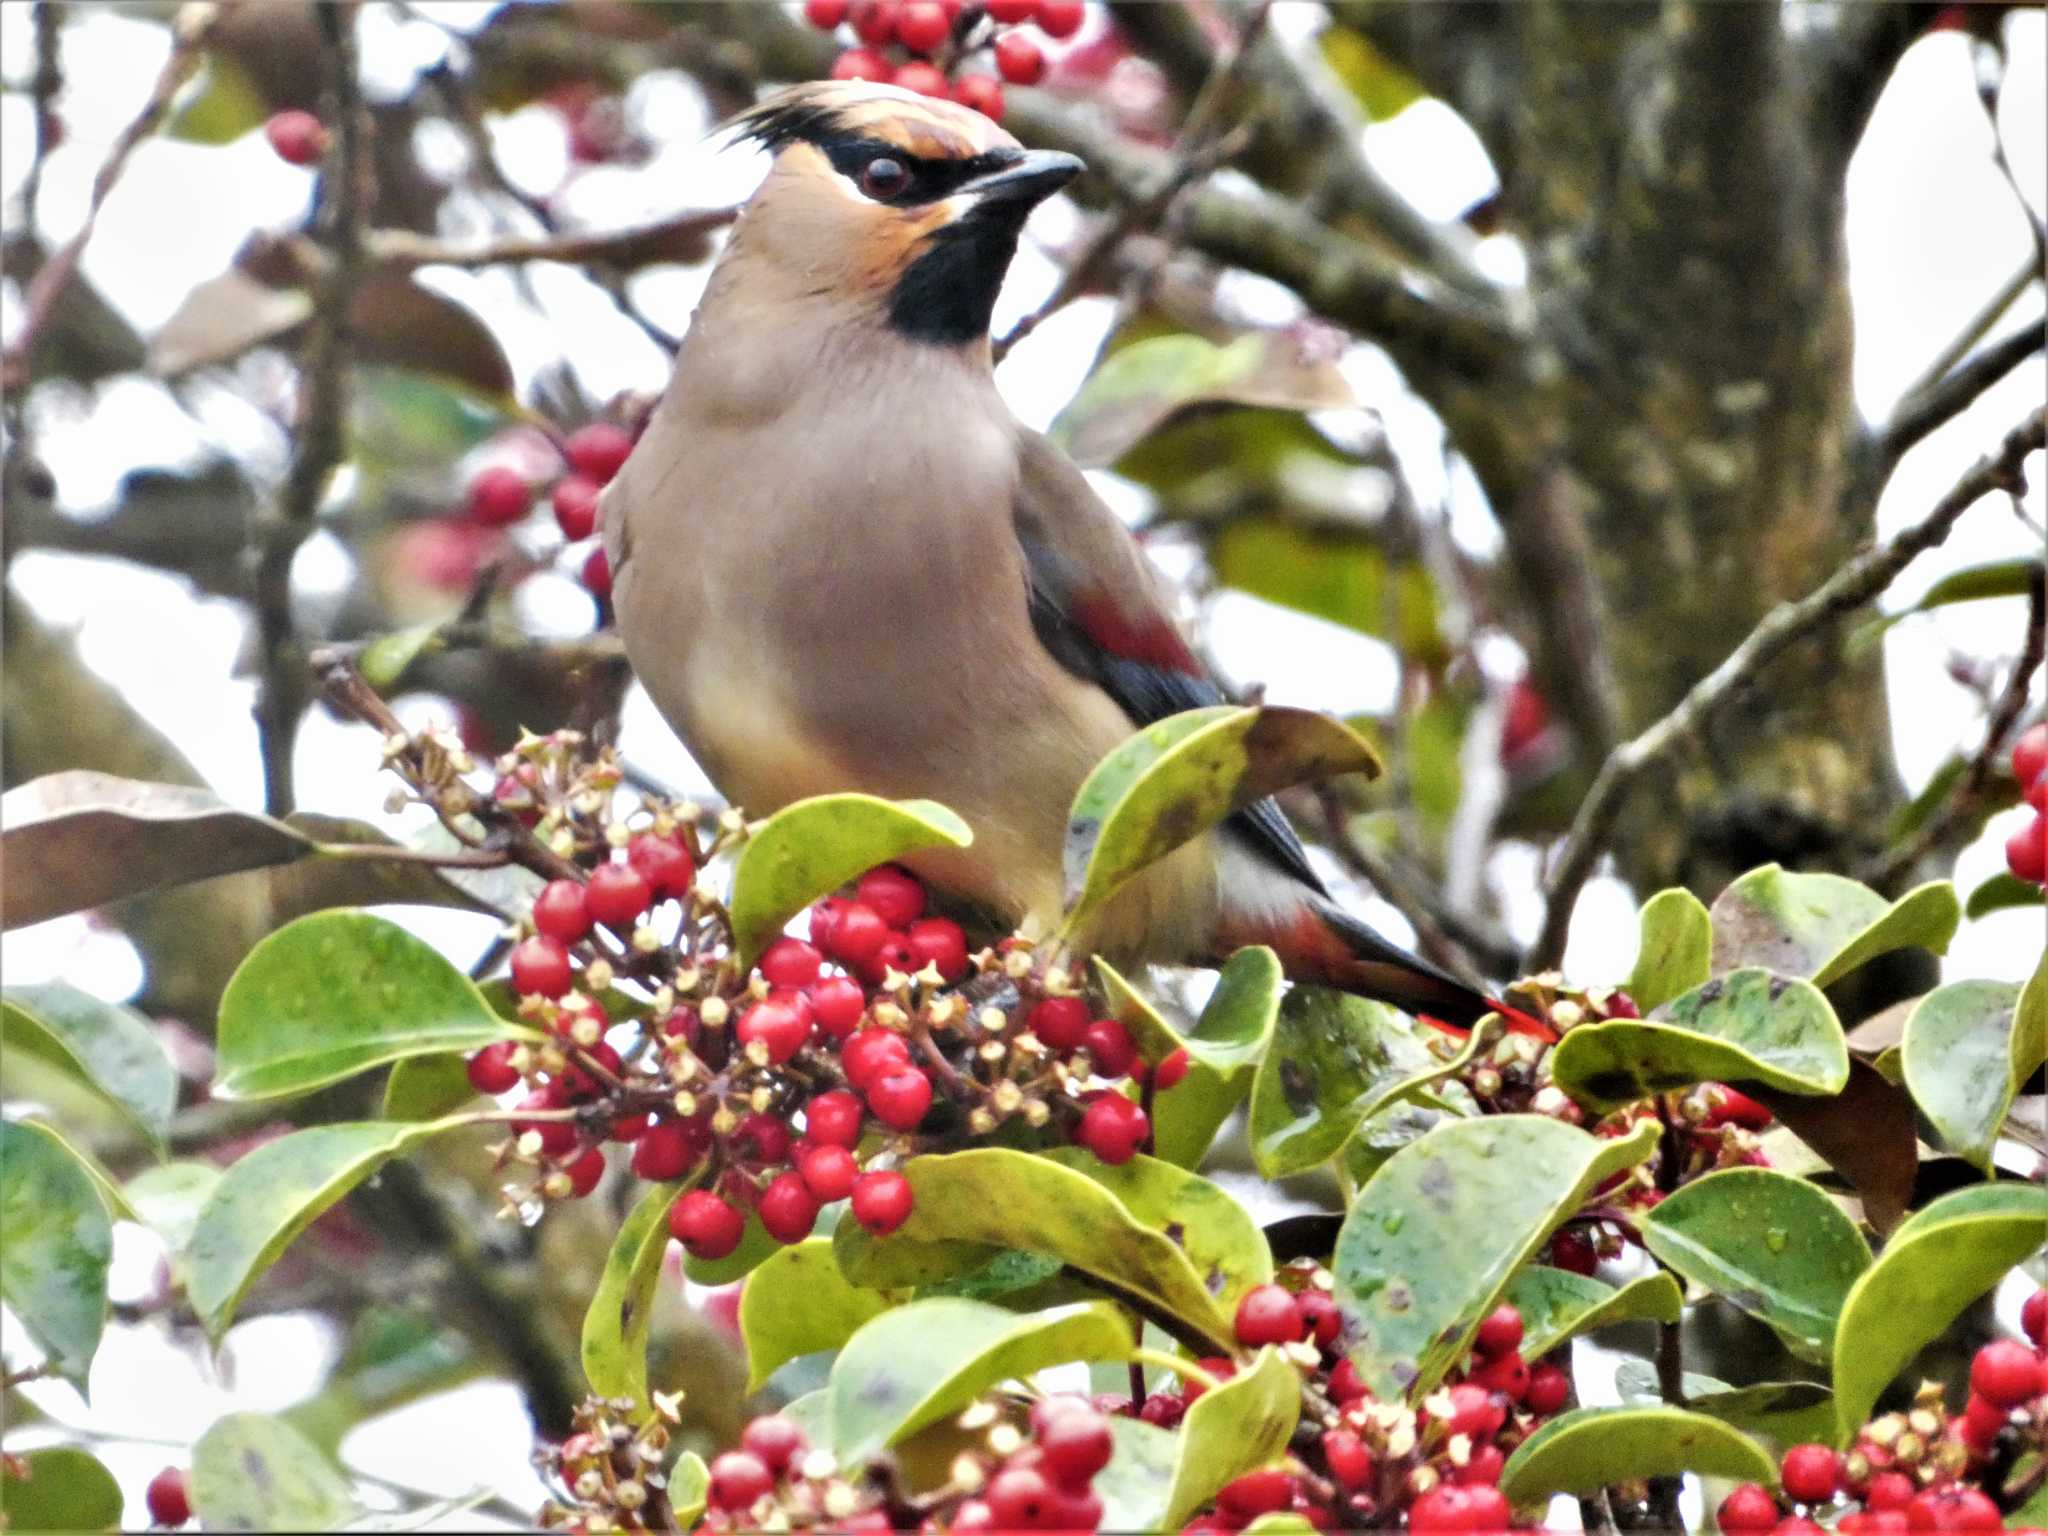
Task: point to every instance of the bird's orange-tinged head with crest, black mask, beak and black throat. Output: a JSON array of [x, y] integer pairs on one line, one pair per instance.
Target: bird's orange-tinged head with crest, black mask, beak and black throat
[[904, 206]]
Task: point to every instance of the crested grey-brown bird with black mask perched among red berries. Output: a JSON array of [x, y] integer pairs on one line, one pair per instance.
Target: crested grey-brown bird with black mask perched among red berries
[[843, 564]]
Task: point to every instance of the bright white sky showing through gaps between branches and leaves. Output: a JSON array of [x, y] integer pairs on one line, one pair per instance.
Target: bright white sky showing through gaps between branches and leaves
[[1932, 234]]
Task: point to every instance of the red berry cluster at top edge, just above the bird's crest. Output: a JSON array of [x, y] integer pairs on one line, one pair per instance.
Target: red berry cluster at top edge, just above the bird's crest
[[923, 44]]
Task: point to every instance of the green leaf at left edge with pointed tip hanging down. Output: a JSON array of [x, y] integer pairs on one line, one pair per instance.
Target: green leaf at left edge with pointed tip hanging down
[[56, 1246]]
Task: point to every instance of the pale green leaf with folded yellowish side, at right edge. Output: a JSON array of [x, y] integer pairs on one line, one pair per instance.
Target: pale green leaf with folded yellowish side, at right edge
[[1965, 1060]]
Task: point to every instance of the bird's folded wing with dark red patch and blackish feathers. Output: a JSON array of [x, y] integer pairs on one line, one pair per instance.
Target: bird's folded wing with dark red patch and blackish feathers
[[1099, 609]]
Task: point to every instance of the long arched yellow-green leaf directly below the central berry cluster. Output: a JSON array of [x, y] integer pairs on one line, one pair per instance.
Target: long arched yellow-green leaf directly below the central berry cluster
[[976, 1203]]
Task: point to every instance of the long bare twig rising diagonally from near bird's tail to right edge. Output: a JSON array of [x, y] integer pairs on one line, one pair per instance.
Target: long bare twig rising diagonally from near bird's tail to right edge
[[1846, 591]]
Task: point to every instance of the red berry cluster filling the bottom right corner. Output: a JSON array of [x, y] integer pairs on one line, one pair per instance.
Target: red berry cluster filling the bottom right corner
[[1918, 1469]]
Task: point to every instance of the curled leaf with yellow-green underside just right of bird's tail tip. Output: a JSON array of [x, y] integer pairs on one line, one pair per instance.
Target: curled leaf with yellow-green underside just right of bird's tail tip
[[1746, 1027]]
